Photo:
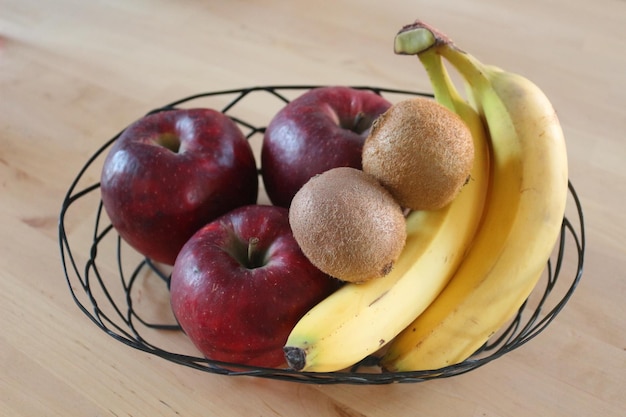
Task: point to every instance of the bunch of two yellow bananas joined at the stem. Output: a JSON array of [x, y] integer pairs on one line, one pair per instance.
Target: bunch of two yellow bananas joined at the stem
[[467, 268]]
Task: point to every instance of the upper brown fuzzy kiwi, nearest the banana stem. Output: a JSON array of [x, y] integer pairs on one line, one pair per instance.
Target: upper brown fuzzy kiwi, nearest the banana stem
[[421, 152]]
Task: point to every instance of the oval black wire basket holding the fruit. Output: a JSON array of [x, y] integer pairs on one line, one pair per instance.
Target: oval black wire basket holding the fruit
[[126, 295]]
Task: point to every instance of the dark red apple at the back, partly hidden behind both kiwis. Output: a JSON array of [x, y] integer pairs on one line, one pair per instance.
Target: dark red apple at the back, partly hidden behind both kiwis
[[322, 129]]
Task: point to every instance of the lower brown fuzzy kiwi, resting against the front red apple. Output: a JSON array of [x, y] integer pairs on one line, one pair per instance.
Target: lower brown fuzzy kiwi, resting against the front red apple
[[348, 225]]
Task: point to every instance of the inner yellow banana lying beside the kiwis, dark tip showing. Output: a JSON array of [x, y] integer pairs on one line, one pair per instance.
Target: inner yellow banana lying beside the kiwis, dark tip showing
[[359, 319]]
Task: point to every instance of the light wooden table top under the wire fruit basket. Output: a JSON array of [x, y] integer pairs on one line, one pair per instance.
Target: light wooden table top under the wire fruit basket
[[73, 73]]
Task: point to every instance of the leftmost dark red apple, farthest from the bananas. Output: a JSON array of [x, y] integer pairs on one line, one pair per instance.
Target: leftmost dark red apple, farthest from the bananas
[[170, 173]]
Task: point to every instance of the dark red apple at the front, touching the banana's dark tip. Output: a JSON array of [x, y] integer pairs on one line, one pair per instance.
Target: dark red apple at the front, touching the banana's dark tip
[[241, 282]]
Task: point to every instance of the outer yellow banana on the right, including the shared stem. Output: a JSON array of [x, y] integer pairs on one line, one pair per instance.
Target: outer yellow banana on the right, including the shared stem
[[522, 220]]
